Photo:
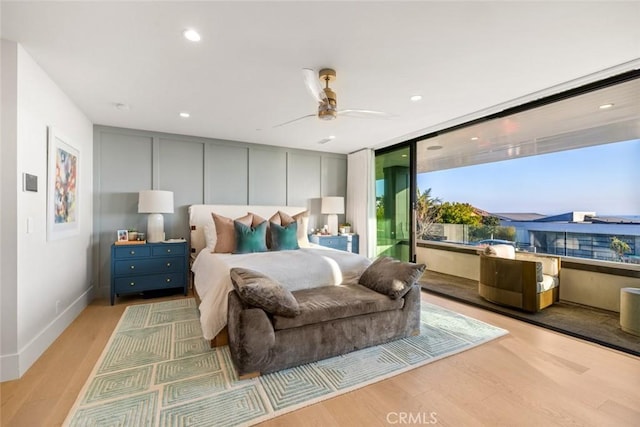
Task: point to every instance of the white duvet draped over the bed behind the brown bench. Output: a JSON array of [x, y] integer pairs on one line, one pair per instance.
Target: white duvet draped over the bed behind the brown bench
[[299, 269]]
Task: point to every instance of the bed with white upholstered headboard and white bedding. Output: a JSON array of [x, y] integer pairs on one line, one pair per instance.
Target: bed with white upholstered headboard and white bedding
[[308, 267]]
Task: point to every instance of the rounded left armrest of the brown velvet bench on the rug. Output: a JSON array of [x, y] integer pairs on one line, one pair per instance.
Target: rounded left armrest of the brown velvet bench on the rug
[[251, 335]]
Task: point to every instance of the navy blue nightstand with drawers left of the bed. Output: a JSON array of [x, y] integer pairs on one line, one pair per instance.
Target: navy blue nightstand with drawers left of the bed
[[148, 267]]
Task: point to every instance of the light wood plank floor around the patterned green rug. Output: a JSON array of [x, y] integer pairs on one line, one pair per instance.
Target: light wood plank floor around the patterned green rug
[[531, 377]]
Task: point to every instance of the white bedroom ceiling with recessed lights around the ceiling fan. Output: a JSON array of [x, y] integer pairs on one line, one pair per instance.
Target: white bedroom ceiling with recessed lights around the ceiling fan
[[466, 59]]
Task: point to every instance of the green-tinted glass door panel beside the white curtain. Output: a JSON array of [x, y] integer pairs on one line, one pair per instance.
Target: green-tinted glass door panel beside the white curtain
[[394, 216]]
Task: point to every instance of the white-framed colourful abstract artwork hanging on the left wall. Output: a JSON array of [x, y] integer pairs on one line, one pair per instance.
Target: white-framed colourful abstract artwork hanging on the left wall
[[62, 187]]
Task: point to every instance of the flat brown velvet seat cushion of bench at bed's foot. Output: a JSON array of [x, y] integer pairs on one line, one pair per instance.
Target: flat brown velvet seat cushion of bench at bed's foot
[[335, 302]]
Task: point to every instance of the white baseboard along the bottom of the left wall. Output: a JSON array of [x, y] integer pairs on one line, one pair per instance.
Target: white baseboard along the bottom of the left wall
[[13, 366]]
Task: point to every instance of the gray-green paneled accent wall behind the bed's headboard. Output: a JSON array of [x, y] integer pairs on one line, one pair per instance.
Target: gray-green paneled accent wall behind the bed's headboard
[[199, 170]]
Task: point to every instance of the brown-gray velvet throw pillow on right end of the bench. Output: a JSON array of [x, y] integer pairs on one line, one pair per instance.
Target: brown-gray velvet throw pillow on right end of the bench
[[391, 277]]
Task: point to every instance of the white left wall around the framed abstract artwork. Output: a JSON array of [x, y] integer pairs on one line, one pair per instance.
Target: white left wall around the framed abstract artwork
[[51, 280]]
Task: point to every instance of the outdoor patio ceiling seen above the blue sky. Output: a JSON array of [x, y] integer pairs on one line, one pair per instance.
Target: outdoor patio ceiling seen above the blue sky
[[571, 123]]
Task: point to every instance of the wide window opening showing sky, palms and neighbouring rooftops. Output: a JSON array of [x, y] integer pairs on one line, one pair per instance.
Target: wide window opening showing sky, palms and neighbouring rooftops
[[559, 178]]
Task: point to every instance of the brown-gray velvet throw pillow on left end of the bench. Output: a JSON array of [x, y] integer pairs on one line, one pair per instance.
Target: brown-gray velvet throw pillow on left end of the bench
[[261, 291]]
